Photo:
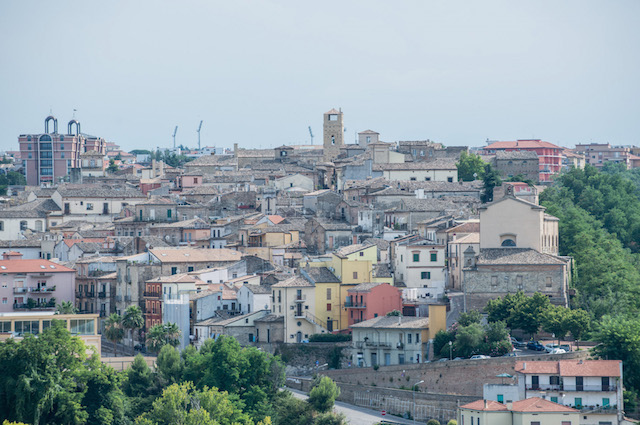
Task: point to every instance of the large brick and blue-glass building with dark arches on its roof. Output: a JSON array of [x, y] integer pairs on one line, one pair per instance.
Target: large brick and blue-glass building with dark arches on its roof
[[49, 156]]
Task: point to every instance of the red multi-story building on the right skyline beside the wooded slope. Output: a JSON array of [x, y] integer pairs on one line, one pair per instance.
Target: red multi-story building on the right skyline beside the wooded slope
[[549, 155]]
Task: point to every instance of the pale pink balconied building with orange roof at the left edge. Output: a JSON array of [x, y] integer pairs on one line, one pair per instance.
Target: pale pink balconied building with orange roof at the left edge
[[36, 285]]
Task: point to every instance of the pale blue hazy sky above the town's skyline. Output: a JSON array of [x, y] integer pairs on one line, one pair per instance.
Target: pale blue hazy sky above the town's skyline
[[259, 72]]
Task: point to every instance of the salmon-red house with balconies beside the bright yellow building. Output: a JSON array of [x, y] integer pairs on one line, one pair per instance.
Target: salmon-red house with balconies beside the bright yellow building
[[369, 300]]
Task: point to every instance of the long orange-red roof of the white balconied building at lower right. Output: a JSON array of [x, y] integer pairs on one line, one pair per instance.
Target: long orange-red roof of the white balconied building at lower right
[[571, 367]]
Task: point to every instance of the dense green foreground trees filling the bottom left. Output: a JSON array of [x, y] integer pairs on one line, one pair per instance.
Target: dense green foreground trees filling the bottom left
[[49, 379]]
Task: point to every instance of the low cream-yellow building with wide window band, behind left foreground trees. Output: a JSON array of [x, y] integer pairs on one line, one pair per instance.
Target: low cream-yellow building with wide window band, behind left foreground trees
[[85, 326]]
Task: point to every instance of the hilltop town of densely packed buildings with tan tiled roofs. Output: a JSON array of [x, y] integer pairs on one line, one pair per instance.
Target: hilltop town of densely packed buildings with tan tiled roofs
[[388, 266]]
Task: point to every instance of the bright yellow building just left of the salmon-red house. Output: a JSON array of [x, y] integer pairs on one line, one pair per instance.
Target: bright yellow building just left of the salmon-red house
[[350, 266]]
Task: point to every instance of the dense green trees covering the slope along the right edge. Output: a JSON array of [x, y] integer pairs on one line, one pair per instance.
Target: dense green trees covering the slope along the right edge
[[599, 214]]
